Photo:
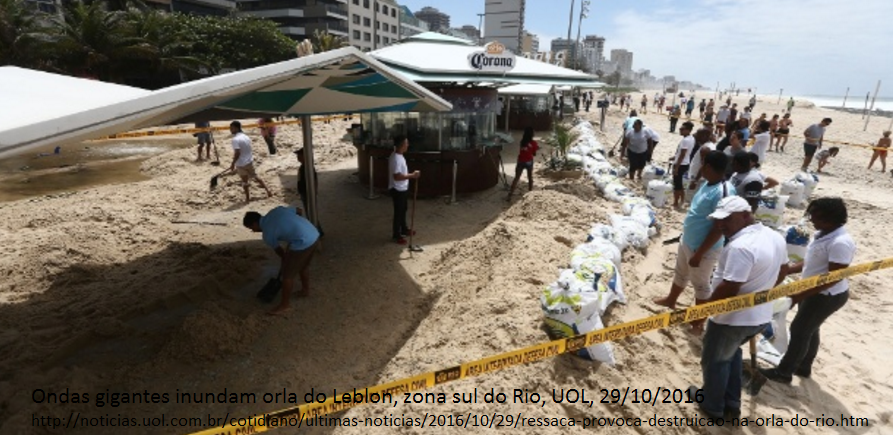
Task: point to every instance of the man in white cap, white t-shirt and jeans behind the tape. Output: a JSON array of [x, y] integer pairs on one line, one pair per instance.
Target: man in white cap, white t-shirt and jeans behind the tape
[[753, 260]]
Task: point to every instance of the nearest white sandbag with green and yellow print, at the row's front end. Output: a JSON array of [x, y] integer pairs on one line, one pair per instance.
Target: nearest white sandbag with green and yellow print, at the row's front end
[[570, 312]]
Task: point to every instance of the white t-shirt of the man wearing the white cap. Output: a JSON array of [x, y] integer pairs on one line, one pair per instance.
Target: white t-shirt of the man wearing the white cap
[[753, 257]]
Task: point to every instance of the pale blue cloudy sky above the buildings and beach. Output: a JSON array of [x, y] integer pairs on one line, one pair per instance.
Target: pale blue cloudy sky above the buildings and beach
[[804, 47]]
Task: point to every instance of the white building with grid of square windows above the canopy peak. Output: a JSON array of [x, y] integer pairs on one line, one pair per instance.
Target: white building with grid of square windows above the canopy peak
[[374, 23]]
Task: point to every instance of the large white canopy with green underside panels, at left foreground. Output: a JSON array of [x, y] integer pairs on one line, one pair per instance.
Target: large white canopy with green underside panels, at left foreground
[[338, 81]]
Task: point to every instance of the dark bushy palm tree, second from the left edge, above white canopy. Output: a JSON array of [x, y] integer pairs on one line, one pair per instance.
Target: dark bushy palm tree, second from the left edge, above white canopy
[[96, 43]]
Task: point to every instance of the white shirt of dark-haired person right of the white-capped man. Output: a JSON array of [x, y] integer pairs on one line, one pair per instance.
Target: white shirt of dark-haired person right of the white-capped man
[[837, 247]]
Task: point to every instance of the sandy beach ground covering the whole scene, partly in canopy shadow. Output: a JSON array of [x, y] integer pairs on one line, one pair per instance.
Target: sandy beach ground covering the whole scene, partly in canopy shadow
[[101, 291]]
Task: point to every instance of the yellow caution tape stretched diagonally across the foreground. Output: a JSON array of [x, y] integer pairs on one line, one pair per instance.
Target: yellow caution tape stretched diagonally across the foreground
[[291, 416]]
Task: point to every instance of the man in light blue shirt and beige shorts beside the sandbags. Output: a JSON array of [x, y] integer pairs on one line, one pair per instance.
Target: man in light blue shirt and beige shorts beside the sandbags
[[701, 242]]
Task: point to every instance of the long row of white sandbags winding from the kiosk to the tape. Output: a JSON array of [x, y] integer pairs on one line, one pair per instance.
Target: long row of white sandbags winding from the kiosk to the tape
[[574, 304]]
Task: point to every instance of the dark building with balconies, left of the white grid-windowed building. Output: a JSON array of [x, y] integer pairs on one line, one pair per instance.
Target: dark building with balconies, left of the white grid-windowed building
[[298, 19]]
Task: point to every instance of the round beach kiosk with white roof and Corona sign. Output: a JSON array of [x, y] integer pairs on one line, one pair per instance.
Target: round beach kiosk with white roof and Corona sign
[[457, 150]]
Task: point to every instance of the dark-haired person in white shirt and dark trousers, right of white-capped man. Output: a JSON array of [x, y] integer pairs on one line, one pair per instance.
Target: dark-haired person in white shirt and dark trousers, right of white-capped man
[[832, 249]]
